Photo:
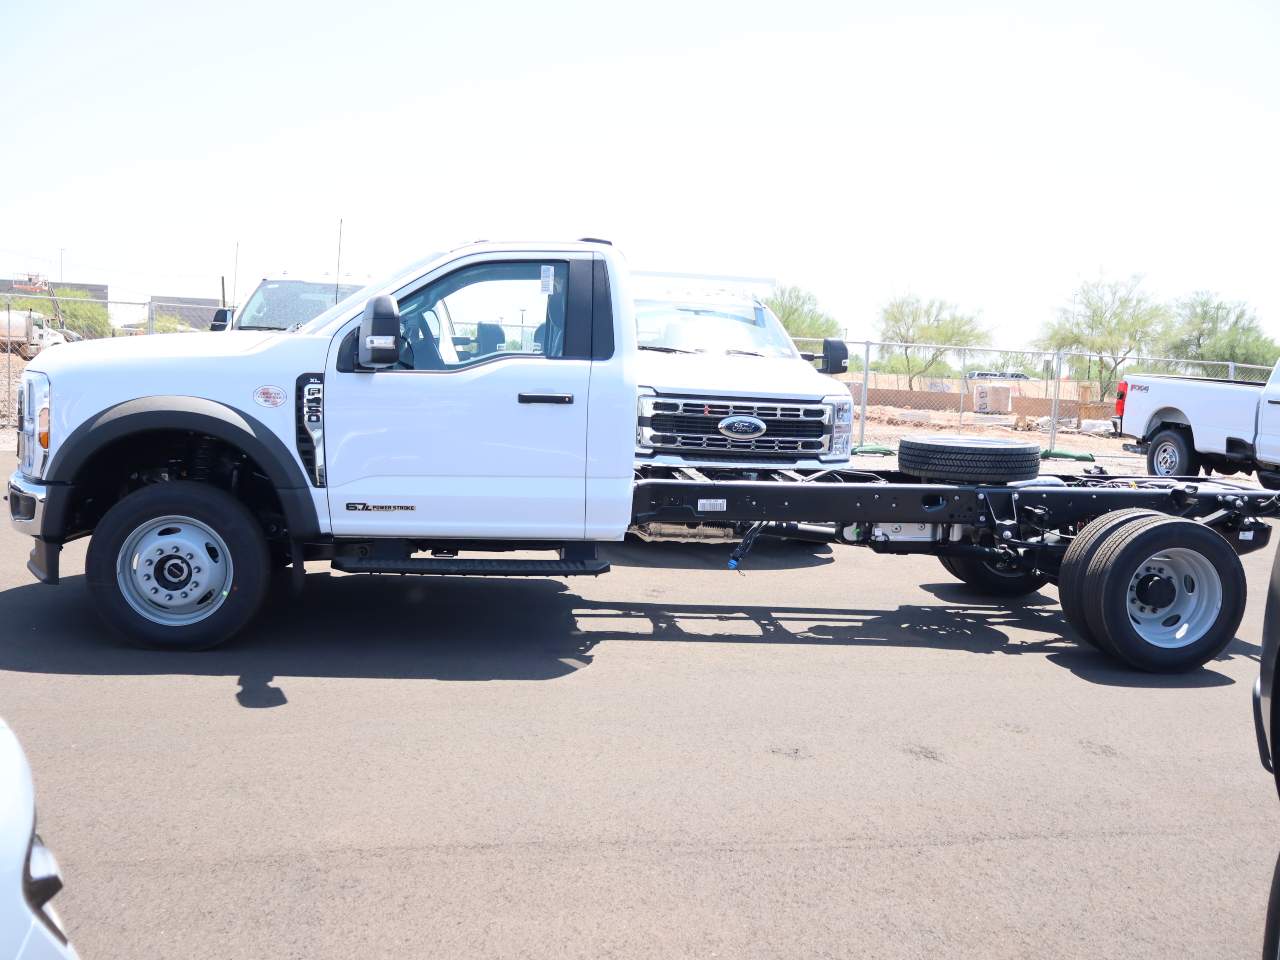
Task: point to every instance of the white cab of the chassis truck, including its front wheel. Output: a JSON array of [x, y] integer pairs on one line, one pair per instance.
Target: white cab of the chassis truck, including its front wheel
[[272, 447]]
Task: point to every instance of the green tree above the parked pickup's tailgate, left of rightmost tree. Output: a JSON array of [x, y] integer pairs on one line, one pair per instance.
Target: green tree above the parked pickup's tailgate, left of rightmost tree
[[1112, 321]]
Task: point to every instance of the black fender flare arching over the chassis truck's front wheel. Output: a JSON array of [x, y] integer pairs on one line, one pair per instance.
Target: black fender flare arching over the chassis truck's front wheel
[[200, 417]]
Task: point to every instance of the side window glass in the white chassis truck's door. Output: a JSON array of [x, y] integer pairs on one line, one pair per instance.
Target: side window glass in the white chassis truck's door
[[483, 312]]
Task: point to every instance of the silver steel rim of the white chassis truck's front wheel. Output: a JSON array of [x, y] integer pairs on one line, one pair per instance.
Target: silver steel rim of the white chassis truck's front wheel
[[175, 572]]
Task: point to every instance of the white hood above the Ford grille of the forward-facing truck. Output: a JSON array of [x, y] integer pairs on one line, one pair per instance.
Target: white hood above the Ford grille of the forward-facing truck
[[734, 376]]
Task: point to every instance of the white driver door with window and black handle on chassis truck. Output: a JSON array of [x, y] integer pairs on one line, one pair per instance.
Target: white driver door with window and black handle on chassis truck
[[481, 431]]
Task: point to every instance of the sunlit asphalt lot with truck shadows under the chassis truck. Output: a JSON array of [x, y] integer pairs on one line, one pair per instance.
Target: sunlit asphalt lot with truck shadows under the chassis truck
[[835, 756]]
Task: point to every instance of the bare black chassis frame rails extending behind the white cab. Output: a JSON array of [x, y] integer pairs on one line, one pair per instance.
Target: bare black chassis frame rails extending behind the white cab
[[1028, 524]]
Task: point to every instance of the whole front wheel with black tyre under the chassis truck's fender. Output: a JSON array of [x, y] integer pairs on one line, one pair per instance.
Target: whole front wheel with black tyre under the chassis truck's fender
[[179, 566]]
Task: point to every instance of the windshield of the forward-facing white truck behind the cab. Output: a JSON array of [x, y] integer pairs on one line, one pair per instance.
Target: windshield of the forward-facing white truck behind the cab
[[679, 327]]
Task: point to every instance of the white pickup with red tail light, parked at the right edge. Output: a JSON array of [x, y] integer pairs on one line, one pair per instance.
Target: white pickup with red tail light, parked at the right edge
[[1187, 424]]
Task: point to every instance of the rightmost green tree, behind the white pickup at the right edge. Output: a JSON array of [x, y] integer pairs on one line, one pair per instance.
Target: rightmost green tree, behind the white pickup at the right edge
[[1204, 327]]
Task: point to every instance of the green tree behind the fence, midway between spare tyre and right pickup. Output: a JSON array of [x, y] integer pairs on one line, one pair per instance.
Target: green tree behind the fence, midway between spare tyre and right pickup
[[925, 332]]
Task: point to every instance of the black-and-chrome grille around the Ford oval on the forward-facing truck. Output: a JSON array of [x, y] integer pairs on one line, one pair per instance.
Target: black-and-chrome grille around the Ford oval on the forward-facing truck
[[793, 431]]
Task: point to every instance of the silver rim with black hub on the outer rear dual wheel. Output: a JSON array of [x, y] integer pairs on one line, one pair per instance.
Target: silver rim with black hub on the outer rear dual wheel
[[1174, 598]]
